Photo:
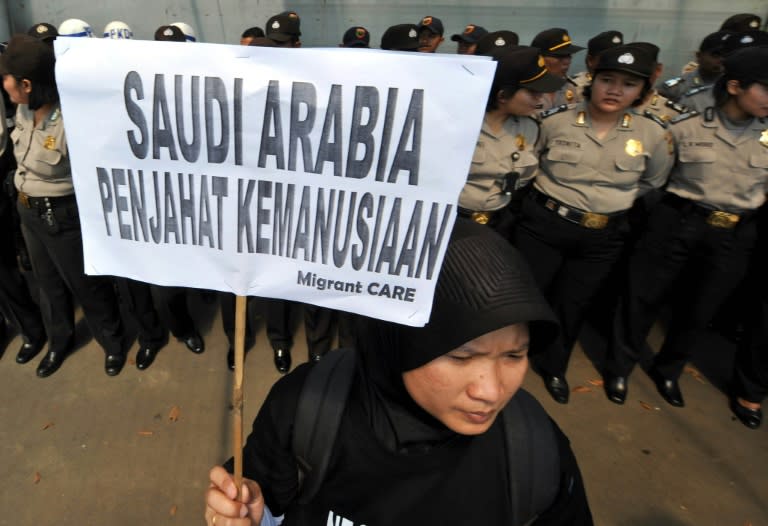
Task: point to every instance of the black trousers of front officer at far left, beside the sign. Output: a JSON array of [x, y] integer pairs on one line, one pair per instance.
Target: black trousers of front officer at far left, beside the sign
[[55, 248]]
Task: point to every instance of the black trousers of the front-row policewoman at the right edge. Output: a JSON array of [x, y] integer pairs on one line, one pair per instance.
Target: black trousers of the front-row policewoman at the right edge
[[678, 245]]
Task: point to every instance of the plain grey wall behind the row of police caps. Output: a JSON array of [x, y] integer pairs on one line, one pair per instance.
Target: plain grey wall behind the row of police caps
[[677, 26]]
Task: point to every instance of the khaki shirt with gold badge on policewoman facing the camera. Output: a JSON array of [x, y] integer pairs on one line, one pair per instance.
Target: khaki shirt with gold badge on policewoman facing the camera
[[601, 175]]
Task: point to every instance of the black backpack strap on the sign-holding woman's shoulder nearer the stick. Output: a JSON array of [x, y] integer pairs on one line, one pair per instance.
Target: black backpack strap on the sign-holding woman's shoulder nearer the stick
[[318, 416]]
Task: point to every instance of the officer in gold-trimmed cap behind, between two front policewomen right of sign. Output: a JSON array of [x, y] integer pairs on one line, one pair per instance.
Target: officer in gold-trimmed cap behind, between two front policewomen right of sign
[[557, 48]]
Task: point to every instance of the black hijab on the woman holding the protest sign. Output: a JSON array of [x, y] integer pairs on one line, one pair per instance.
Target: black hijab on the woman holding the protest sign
[[484, 285]]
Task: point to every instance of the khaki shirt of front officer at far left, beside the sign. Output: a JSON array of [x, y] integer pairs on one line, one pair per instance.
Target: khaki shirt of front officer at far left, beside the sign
[[41, 155]]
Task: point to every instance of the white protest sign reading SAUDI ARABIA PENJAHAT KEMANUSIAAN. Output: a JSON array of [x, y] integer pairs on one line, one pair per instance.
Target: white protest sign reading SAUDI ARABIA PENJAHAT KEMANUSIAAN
[[326, 176]]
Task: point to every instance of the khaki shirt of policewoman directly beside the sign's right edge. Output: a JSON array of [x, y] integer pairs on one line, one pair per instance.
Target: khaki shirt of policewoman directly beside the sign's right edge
[[512, 150]]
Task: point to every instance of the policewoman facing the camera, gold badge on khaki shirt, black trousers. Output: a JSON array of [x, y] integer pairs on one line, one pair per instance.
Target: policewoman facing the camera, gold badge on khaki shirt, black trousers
[[595, 160]]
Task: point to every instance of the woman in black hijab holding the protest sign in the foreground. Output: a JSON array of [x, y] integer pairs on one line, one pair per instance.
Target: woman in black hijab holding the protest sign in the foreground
[[419, 440]]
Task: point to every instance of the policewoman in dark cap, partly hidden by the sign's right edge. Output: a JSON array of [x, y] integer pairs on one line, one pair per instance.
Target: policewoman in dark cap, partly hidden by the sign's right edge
[[504, 159]]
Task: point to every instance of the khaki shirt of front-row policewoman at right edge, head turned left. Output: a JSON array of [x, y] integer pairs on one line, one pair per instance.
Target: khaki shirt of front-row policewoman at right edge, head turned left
[[724, 169]]
